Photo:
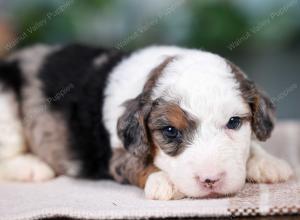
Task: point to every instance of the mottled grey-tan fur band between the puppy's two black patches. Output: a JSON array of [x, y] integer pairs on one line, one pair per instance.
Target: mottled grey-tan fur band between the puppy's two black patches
[[38, 120]]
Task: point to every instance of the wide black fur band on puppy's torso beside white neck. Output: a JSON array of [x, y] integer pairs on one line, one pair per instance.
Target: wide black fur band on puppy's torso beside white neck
[[72, 67]]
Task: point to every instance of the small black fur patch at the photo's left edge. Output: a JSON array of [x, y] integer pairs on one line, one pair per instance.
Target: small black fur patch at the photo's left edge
[[11, 77]]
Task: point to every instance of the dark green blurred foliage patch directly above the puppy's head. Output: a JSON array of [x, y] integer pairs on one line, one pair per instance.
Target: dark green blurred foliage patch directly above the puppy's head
[[215, 24]]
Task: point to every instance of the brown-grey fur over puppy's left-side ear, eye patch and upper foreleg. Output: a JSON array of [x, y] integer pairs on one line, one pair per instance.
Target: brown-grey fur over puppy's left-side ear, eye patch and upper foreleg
[[139, 128]]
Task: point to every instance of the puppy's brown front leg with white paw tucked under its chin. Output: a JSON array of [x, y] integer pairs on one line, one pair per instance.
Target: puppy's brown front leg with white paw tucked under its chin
[[126, 168]]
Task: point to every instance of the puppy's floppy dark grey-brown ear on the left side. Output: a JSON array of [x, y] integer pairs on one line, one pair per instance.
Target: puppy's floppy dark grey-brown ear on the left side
[[132, 128]]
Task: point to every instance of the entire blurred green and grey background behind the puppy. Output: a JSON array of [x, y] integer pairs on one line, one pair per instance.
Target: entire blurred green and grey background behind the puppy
[[262, 37]]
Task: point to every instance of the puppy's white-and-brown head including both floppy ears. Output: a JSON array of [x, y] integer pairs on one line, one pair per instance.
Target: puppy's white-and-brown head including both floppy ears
[[196, 118]]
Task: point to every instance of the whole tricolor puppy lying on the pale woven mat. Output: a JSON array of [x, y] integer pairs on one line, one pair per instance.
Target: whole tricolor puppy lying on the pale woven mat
[[176, 122]]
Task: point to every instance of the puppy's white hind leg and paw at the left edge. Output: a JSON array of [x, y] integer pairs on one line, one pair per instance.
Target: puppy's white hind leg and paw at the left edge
[[14, 164]]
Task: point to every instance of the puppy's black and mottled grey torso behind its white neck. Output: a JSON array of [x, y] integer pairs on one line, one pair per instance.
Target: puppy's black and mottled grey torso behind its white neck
[[60, 95]]
